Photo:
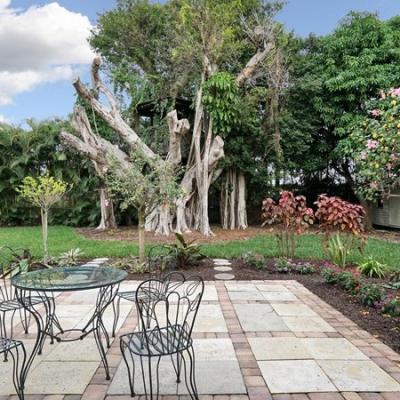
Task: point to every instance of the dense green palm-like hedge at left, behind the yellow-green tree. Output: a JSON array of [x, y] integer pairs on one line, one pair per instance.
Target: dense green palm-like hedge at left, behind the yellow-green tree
[[29, 152]]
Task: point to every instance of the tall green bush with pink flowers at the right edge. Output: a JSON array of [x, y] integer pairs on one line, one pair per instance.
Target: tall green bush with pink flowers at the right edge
[[374, 146]]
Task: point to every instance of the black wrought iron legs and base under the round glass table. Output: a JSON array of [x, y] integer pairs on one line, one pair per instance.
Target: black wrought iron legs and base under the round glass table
[[46, 322]]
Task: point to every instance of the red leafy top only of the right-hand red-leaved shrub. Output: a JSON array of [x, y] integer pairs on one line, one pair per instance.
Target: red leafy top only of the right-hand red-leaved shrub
[[334, 213]]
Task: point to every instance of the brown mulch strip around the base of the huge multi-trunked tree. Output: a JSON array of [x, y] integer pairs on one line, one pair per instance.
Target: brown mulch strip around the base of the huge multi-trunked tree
[[130, 234]]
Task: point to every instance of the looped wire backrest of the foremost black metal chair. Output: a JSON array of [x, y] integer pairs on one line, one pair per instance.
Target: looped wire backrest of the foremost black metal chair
[[168, 309]]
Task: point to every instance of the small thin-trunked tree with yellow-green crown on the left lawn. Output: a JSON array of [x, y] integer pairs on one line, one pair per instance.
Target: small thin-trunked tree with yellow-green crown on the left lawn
[[43, 192]]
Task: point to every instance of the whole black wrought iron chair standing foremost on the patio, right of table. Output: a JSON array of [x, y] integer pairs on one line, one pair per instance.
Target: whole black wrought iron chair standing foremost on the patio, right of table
[[167, 311]]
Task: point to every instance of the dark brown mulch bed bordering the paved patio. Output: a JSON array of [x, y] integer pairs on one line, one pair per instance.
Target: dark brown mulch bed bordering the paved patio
[[385, 328]]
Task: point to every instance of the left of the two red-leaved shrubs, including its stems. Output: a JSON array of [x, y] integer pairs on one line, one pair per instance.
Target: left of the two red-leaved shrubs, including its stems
[[292, 215]]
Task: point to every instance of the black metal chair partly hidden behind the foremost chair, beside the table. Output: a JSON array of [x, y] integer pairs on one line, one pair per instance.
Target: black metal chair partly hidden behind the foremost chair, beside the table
[[158, 263]]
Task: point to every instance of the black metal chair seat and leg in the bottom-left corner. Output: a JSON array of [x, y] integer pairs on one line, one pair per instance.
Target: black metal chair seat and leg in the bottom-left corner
[[16, 349]]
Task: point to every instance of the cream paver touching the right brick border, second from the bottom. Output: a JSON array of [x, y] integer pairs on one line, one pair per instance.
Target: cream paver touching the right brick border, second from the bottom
[[332, 349]]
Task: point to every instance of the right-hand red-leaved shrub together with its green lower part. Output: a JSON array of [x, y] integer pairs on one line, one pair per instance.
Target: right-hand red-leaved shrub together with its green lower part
[[343, 223]]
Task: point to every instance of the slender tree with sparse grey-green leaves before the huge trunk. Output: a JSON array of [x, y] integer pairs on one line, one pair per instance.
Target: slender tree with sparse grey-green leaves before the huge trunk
[[145, 183]]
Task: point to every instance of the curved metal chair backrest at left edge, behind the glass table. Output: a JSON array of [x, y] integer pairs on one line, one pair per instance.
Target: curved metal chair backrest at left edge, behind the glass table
[[12, 263]]
